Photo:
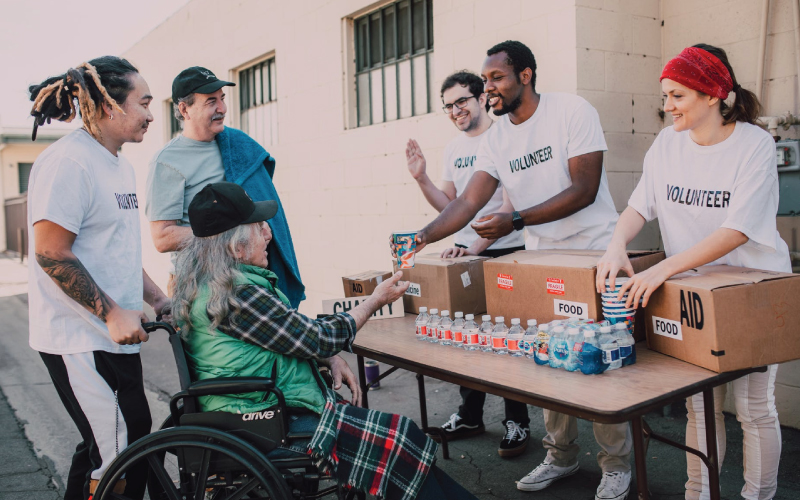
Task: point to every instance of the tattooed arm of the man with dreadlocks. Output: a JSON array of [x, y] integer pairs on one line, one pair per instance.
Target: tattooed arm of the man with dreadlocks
[[54, 255]]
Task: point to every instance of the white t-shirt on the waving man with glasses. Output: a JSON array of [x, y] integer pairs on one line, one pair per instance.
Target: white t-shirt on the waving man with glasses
[[459, 165]]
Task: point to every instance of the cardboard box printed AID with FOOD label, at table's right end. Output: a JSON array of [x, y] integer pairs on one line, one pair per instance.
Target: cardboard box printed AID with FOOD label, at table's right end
[[726, 318]]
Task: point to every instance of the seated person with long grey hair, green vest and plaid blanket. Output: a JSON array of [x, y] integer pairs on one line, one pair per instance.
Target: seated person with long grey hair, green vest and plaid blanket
[[236, 322]]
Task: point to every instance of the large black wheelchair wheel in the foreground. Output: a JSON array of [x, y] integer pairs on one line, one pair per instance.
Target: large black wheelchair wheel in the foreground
[[196, 463]]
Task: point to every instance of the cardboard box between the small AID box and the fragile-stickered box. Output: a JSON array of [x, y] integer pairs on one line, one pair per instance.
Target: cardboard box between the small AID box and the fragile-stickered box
[[452, 284]]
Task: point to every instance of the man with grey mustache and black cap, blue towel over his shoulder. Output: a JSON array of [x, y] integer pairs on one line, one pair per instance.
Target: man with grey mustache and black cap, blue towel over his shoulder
[[208, 152]]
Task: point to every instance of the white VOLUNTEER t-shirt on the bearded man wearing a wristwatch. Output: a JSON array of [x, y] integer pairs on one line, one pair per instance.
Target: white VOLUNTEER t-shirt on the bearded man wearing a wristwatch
[[531, 162]]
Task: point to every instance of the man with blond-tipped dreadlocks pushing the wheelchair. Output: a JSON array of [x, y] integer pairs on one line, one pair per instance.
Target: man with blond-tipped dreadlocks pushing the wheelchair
[[86, 278]]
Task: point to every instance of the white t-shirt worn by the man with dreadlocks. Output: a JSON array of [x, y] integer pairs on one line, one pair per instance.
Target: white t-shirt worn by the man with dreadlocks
[[79, 185]]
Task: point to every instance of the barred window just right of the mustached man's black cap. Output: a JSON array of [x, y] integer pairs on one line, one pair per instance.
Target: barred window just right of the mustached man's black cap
[[258, 108]]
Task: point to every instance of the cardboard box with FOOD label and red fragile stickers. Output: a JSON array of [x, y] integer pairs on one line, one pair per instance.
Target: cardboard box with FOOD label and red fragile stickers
[[551, 284]]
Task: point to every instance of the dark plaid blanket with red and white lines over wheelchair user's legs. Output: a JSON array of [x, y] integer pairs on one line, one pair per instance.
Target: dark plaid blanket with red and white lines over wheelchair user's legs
[[383, 454]]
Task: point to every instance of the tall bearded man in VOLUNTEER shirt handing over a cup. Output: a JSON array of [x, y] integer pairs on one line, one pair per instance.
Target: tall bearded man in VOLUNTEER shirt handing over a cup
[[547, 150]]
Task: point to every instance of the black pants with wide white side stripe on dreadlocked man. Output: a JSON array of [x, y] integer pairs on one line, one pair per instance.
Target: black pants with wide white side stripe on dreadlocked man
[[122, 374]]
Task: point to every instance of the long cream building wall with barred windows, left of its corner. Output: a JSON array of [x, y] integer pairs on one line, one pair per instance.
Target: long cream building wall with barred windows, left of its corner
[[344, 190]]
